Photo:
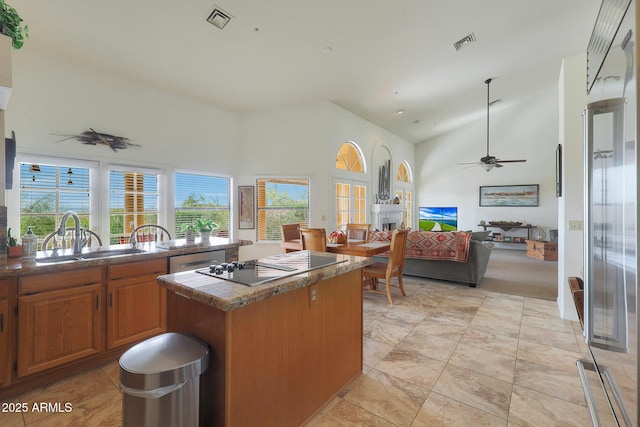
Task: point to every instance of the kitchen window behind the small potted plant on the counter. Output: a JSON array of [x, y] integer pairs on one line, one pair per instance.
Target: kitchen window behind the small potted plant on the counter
[[202, 196]]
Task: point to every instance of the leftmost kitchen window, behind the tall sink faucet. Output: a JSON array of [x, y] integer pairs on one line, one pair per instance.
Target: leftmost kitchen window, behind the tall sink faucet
[[48, 188]]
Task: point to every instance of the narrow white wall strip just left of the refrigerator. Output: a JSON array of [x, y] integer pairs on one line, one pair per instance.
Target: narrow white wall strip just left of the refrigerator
[[571, 204]]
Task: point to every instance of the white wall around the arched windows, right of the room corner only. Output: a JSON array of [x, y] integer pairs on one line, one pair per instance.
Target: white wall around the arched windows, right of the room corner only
[[303, 141]]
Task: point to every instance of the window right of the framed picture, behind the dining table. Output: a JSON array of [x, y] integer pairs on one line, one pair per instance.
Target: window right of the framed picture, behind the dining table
[[281, 201]]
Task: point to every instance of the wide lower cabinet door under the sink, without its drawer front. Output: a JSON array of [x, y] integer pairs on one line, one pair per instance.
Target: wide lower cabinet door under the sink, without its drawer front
[[57, 327]]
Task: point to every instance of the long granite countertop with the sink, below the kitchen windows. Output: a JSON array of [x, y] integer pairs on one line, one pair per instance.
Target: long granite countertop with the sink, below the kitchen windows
[[149, 250]]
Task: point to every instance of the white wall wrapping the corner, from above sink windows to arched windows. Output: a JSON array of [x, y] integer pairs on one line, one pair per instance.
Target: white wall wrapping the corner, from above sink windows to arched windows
[[57, 96]]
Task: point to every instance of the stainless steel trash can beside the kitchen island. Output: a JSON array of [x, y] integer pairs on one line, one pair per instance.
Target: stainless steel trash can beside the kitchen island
[[160, 381]]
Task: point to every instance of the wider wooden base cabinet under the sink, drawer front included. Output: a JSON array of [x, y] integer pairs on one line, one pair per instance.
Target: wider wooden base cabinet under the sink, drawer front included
[[60, 319]]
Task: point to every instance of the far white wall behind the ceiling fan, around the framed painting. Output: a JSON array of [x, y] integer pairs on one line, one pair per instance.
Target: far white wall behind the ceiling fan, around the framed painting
[[519, 129]]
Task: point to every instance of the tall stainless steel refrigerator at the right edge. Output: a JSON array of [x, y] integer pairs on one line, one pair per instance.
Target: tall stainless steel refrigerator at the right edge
[[610, 375]]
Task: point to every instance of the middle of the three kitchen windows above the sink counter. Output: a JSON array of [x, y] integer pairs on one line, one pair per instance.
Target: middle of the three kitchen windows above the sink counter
[[133, 201]]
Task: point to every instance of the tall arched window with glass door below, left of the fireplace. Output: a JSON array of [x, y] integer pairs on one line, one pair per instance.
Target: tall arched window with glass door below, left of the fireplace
[[350, 190]]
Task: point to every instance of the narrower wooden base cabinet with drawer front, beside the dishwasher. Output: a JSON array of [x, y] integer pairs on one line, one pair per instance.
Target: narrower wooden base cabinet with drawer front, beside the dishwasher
[[136, 305]]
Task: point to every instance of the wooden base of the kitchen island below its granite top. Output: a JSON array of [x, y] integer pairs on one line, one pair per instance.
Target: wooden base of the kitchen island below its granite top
[[277, 361]]
